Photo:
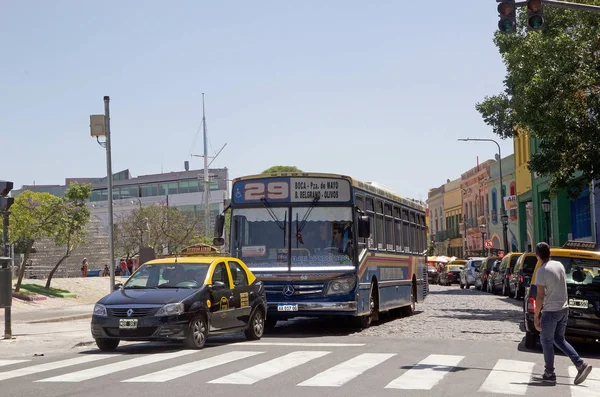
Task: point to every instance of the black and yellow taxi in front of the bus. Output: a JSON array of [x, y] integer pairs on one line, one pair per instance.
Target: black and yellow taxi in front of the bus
[[187, 297]]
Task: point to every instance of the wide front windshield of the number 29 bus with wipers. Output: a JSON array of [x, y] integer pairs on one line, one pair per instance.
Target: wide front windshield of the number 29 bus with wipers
[[320, 236]]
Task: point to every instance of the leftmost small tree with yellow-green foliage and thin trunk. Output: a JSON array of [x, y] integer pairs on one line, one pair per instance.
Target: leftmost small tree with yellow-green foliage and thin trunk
[[34, 216]]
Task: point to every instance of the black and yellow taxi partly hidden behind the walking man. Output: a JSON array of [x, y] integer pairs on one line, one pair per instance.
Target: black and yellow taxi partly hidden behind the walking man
[[582, 267]]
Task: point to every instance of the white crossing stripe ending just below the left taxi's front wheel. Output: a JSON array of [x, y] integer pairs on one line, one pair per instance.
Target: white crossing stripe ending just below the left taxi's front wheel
[[96, 372]]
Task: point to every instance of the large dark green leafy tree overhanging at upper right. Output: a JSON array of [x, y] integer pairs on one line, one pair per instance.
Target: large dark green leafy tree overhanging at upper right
[[552, 92]]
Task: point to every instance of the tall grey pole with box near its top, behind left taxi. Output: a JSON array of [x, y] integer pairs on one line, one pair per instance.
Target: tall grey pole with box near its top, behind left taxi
[[100, 126]]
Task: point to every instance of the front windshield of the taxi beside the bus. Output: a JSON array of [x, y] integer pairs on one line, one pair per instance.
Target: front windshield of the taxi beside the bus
[[168, 275]]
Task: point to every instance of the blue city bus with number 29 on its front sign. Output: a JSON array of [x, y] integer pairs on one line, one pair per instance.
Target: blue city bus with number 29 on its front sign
[[328, 245]]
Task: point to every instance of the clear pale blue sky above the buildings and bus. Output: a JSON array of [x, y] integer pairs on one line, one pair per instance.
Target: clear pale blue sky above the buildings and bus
[[377, 90]]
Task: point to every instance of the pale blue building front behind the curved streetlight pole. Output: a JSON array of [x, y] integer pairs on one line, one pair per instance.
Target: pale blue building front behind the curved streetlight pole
[[508, 193]]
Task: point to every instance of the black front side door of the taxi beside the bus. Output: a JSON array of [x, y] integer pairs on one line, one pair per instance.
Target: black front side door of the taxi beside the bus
[[222, 297]]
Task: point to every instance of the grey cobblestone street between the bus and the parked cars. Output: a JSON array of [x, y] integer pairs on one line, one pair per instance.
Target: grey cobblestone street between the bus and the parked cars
[[451, 312]]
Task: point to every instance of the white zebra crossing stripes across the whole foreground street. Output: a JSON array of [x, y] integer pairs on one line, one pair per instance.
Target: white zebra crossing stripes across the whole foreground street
[[503, 377]]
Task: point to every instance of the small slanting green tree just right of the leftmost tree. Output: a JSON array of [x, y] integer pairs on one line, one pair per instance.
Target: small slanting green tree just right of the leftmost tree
[[71, 223]]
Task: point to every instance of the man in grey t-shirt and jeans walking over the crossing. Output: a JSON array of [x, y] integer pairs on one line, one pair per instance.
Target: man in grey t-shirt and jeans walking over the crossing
[[552, 300]]
